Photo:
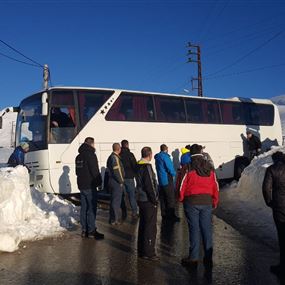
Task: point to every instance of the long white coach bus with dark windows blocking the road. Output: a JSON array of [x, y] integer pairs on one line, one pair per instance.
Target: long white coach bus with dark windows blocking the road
[[144, 119]]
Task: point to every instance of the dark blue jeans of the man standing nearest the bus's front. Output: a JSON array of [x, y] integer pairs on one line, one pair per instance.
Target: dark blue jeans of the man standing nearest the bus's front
[[88, 210]]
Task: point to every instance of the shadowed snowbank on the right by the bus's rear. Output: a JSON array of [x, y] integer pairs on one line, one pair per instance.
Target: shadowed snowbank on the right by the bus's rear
[[243, 202]]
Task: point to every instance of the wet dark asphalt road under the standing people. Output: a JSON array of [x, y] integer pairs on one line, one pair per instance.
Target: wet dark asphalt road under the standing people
[[71, 260]]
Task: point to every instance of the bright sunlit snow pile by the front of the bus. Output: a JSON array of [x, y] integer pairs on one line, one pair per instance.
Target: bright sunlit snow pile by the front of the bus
[[26, 214]]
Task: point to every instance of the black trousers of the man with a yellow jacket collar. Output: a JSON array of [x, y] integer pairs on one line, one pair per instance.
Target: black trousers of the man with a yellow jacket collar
[[147, 229]]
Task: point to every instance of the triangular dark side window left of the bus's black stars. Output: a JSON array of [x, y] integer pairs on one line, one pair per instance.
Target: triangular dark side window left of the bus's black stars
[[90, 102]]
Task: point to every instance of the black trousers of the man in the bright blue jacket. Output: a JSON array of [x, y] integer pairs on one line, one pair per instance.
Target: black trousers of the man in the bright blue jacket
[[167, 200]]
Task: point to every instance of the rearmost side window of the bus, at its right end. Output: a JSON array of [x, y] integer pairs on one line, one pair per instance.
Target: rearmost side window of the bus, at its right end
[[260, 114]]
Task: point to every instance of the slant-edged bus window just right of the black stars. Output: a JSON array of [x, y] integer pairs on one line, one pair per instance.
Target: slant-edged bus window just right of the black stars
[[132, 107]]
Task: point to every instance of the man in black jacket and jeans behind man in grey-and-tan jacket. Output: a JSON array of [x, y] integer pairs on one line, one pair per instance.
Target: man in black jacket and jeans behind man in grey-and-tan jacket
[[130, 167]]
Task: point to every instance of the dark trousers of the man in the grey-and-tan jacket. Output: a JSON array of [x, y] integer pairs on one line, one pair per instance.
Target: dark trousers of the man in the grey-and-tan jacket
[[116, 200]]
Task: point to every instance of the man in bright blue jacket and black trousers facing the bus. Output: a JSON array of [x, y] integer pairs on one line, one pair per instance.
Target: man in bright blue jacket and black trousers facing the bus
[[165, 173]]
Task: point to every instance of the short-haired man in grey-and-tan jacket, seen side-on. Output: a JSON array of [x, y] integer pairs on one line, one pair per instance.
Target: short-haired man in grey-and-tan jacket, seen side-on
[[116, 184]]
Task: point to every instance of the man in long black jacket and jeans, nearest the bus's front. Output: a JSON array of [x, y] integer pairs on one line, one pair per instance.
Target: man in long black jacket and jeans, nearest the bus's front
[[88, 179]]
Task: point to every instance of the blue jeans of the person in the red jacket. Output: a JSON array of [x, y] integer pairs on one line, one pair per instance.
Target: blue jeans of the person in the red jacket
[[199, 219]]
